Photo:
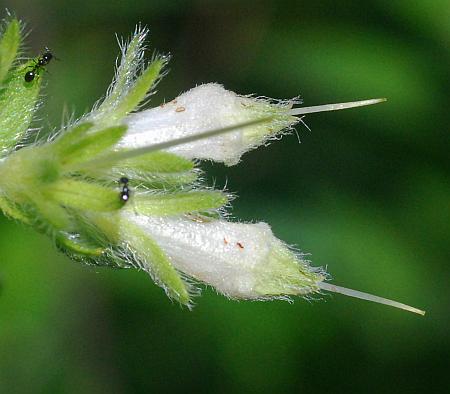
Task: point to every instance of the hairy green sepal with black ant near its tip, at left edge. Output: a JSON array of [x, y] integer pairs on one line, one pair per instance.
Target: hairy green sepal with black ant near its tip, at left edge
[[18, 102]]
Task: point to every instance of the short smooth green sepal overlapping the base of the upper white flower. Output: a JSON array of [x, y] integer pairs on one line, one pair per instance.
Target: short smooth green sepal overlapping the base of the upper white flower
[[91, 145]]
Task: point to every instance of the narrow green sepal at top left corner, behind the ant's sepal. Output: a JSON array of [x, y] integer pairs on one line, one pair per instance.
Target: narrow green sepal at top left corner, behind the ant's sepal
[[9, 46]]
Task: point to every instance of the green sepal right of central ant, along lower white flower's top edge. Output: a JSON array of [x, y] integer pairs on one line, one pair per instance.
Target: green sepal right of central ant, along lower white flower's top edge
[[178, 203]]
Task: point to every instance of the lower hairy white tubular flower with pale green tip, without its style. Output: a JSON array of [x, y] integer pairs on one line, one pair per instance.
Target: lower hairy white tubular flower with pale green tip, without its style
[[239, 260]]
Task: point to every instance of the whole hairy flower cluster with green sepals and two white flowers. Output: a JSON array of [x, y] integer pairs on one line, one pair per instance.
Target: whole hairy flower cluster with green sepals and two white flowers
[[120, 186]]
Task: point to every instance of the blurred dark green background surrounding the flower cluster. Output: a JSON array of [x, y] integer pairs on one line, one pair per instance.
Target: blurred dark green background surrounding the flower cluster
[[367, 193]]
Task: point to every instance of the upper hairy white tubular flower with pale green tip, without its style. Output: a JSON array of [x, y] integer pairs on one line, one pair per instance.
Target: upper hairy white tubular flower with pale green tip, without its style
[[208, 107]]
